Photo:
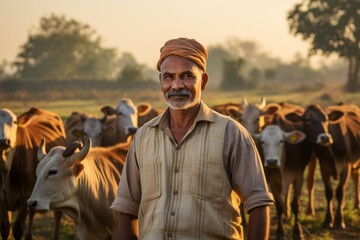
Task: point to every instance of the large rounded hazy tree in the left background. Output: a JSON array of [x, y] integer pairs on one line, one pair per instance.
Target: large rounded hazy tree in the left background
[[65, 49]]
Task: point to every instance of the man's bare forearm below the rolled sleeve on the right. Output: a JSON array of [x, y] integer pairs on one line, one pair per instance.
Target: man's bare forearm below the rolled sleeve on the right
[[259, 223]]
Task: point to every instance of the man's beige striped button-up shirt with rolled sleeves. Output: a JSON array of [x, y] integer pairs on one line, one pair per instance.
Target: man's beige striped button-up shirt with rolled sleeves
[[192, 190]]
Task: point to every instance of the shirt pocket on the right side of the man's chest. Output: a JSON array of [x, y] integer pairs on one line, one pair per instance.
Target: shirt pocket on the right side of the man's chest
[[207, 181]]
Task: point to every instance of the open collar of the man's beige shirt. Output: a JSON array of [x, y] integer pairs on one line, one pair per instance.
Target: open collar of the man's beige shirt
[[204, 114]]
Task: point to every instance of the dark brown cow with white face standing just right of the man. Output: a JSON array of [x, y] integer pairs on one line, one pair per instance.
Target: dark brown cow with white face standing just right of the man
[[284, 164]]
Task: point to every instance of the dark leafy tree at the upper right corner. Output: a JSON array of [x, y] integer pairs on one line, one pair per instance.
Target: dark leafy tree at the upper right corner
[[332, 26]]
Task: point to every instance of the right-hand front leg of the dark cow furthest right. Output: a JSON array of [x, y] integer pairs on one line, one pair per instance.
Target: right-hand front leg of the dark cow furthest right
[[343, 181]]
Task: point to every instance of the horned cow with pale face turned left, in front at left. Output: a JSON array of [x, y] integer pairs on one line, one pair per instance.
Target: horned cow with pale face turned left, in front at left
[[82, 184]]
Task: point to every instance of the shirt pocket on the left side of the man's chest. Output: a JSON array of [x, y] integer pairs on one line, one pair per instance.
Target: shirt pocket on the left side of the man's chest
[[150, 177]]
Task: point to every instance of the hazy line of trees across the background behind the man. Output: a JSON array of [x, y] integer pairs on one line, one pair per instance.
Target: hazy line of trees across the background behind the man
[[63, 49]]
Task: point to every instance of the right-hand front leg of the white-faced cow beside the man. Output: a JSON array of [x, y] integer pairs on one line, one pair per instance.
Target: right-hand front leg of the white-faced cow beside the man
[[297, 230]]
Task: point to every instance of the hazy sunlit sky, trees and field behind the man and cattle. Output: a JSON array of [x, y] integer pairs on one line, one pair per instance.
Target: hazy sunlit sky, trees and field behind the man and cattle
[[80, 55]]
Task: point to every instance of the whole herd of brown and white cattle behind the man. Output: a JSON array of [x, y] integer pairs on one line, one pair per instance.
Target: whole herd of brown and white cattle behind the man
[[75, 167]]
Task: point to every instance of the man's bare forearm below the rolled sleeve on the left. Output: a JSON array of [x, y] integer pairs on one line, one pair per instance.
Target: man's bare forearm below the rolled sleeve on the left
[[127, 228]]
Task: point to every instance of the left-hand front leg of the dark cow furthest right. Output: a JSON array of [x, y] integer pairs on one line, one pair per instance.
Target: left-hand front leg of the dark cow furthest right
[[329, 218]]
